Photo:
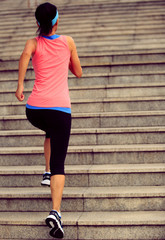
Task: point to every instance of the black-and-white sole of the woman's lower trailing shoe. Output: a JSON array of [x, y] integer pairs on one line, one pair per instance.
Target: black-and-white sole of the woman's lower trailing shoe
[[56, 231]]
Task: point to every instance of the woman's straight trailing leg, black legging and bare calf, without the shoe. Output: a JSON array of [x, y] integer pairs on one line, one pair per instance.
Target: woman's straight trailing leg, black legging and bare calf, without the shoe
[[59, 139]]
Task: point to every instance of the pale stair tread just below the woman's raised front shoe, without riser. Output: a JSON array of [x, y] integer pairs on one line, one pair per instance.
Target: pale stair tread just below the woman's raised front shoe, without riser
[[84, 192]]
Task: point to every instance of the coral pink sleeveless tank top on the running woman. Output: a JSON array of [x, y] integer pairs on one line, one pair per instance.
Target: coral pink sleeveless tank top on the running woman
[[51, 64]]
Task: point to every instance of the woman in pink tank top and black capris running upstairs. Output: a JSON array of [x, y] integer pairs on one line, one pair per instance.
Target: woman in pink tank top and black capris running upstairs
[[48, 107]]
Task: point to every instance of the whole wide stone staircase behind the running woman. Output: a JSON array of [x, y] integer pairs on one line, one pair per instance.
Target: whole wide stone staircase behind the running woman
[[115, 171]]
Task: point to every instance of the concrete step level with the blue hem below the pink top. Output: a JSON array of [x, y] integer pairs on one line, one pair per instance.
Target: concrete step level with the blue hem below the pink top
[[97, 105]]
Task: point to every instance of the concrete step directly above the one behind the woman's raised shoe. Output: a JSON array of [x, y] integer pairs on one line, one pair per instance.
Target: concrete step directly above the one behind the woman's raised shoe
[[137, 153]]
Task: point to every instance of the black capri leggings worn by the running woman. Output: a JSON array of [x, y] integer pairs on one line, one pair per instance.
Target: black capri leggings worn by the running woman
[[57, 126]]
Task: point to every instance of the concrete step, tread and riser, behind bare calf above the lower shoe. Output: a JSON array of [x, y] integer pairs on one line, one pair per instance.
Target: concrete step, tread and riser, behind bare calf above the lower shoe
[[84, 199]]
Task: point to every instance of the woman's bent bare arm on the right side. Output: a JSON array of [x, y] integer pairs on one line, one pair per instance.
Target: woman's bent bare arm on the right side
[[74, 65]]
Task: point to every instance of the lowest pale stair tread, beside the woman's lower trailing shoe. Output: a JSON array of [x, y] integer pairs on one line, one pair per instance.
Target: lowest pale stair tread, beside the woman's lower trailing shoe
[[87, 218]]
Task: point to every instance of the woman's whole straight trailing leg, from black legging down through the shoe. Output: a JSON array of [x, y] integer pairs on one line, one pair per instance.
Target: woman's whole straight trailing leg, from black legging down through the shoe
[[59, 130]]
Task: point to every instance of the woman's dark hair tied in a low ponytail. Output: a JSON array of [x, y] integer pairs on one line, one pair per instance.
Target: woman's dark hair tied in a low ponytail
[[44, 15]]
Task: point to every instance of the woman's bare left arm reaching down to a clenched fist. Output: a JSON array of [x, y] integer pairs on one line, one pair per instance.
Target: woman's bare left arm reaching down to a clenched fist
[[29, 49]]
